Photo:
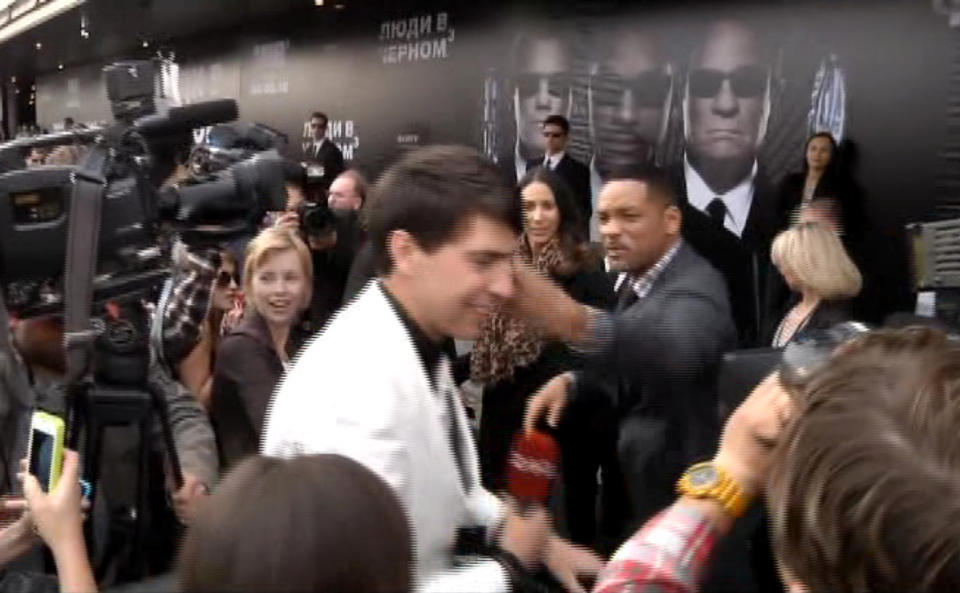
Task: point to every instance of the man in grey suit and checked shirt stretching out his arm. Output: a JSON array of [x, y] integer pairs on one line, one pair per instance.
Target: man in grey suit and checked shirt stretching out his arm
[[655, 359]]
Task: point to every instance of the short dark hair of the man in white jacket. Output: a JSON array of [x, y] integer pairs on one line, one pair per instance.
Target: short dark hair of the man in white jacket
[[433, 193]]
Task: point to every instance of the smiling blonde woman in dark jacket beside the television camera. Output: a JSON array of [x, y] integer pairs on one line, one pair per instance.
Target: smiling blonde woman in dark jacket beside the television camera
[[277, 279]]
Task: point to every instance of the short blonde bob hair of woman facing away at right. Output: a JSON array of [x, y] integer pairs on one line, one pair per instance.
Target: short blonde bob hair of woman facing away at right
[[815, 257]]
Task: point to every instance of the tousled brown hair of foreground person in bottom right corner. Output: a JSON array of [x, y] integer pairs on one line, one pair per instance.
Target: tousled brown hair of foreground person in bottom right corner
[[864, 488]]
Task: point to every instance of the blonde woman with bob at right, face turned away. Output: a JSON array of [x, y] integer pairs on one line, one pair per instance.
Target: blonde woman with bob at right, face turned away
[[821, 276]]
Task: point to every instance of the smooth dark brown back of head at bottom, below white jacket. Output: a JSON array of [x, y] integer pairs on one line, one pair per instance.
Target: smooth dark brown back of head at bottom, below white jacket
[[312, 523]]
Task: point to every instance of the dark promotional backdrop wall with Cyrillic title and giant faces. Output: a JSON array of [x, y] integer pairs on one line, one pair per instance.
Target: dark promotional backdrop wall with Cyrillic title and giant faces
[[874, 73]]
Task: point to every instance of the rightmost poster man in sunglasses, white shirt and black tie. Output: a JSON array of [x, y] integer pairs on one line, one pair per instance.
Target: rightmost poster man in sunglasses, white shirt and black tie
[[728, 201]]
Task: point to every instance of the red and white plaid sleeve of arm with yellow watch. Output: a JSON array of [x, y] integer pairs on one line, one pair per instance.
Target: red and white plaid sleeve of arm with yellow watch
[[667, 555]]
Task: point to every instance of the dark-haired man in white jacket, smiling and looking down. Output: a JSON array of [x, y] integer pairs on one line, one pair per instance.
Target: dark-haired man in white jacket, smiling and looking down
[[377, 385]]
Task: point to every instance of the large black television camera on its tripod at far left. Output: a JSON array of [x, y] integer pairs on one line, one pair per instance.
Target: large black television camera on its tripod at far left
[[91, 243]]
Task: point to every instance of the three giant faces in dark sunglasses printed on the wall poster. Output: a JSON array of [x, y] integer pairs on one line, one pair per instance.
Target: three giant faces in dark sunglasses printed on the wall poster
[[721, 104]]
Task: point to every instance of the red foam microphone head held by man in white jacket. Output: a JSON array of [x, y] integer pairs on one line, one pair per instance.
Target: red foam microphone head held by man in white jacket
[[532, 468]]
